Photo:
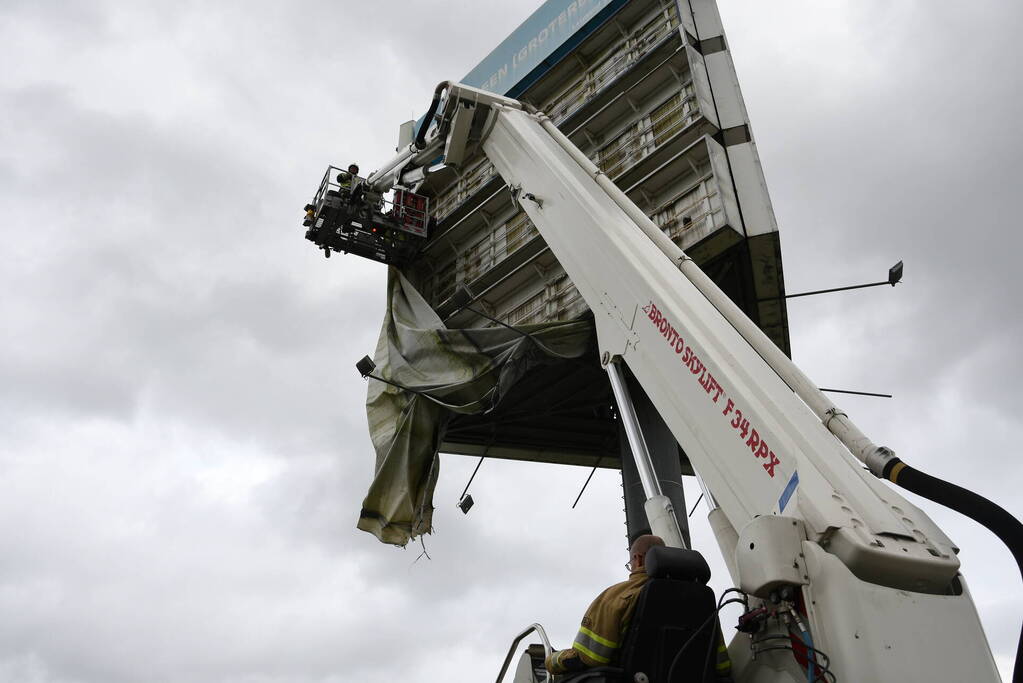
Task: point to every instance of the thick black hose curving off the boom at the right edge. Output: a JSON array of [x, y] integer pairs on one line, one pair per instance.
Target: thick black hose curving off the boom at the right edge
[[1001, 523]]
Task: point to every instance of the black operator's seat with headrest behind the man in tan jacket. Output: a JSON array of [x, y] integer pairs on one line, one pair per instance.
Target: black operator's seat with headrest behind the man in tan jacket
[[675, 625]]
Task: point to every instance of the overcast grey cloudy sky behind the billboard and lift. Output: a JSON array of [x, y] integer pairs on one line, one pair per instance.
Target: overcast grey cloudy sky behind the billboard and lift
[[184, 448]]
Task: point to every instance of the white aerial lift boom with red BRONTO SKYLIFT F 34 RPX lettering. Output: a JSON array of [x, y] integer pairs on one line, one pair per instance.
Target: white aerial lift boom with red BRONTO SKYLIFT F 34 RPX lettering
[[794, 510]]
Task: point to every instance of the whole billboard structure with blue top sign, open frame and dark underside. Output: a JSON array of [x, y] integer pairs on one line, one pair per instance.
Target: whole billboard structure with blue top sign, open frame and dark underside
[[648, 90]]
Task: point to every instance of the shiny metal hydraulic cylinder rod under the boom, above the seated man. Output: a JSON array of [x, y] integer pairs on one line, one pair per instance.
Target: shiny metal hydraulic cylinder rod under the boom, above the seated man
[[660, 512]]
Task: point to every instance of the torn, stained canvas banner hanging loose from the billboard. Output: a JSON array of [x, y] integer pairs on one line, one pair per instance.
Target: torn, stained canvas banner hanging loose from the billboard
[[464, 372]]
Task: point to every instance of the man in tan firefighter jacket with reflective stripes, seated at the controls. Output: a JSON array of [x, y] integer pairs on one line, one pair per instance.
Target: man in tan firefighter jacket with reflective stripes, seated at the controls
[[607, 621]]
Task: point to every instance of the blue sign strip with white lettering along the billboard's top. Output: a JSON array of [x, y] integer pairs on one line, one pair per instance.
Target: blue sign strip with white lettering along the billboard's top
[[541, 42]]
